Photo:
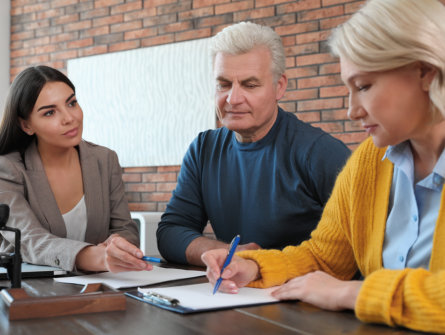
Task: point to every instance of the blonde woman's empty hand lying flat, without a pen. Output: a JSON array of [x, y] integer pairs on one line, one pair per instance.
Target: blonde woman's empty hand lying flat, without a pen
[[322, 290]]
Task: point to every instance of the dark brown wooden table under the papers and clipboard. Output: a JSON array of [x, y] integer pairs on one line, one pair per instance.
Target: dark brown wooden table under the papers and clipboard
[[143, 318]]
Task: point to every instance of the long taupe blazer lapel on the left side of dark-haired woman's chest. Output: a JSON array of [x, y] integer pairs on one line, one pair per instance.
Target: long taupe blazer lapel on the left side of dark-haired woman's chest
[[42, 193]]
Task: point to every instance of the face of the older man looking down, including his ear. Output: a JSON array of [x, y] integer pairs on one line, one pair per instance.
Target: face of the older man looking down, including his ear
[[246, 94]]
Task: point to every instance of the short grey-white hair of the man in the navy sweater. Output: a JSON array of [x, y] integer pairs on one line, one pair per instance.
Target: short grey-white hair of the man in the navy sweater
[[243, 37]]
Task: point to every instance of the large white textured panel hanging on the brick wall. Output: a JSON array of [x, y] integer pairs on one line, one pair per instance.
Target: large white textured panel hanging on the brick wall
[[146, 104]]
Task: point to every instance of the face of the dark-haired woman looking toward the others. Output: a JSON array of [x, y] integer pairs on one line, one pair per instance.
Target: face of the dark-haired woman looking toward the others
[[56, 118]]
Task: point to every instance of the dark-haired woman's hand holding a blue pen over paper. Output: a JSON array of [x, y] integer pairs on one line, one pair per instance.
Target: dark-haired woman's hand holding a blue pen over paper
[[121, 255]]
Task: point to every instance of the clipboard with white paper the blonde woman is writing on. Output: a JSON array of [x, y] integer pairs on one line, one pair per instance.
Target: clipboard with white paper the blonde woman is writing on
[[199, 297]]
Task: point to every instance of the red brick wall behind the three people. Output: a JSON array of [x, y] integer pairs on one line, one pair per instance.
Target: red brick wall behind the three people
[[54, 31]]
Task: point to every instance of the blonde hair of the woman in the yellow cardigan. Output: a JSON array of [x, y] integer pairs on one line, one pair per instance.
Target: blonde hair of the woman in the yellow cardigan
[[387, 34]]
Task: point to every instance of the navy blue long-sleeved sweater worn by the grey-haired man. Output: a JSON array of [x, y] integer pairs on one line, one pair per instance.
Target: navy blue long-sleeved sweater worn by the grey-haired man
[[271, 192]]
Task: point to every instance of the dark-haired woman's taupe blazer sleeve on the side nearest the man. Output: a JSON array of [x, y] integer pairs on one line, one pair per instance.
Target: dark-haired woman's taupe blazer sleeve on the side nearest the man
[[120, 219]]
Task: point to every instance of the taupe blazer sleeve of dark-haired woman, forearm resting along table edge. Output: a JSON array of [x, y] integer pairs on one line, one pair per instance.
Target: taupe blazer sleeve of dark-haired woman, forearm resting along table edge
[[38, 245]]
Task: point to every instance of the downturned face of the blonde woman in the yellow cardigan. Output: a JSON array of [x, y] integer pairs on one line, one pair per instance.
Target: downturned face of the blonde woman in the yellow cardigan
[[393, 106]]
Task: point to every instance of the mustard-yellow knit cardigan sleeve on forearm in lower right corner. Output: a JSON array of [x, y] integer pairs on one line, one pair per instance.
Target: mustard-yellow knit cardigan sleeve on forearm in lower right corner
[[413, 298]]
